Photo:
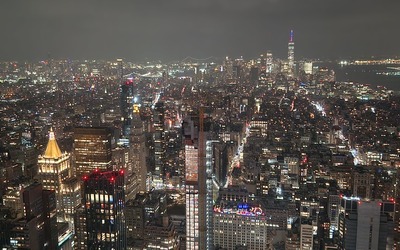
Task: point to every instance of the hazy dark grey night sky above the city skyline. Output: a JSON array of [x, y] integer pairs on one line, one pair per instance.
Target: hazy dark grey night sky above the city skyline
[[173, 29]]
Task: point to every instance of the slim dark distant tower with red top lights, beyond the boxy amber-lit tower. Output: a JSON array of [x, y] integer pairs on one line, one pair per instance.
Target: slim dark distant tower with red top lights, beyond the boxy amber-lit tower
[[127, 97]]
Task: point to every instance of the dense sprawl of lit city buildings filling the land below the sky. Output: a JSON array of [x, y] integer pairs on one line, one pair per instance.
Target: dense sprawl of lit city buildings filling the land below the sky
[[257, 154]]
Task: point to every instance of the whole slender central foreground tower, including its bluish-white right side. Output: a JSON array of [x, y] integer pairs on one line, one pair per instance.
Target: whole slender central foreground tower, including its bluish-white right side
[[198, 187]]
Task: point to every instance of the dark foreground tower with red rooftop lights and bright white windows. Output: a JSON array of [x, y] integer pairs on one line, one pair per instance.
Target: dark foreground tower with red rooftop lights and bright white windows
[[104, 201]]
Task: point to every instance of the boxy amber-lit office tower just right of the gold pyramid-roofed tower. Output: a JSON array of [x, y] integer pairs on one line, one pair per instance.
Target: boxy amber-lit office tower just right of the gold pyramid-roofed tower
[[92, 149]]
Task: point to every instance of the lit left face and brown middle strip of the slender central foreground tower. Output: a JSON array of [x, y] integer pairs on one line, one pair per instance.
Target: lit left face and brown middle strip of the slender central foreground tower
[[195, 183]]
